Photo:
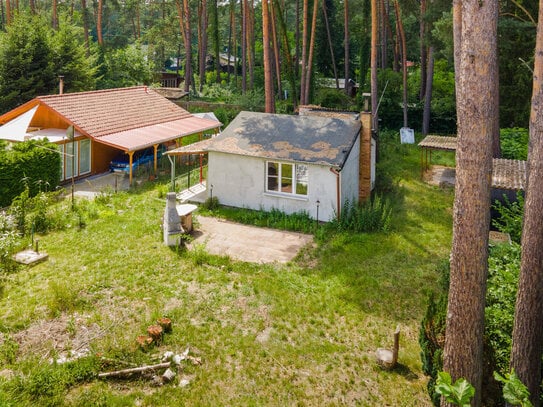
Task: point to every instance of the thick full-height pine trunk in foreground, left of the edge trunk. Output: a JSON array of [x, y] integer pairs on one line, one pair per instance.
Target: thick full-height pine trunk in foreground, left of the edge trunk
[[463, 353]]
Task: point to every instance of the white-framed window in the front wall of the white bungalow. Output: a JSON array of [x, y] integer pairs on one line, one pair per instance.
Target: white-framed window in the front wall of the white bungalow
[[286, 178]]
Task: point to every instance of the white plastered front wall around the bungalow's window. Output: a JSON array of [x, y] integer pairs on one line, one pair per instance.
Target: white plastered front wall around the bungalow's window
[[239, 181]]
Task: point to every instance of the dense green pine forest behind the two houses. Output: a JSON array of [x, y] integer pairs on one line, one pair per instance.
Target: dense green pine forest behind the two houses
[[109, 43]]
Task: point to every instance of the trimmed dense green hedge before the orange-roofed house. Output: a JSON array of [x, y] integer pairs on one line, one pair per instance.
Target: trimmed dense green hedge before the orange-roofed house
[[33, 163]]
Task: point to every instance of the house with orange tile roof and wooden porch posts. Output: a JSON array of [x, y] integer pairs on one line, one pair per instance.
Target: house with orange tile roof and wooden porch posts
[[104, 123]]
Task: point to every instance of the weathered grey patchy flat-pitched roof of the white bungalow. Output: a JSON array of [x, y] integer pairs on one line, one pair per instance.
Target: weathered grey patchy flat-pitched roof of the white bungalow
[[311, 139]]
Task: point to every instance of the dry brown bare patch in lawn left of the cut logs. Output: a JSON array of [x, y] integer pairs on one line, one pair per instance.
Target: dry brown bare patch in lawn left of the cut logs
[[62, 337]]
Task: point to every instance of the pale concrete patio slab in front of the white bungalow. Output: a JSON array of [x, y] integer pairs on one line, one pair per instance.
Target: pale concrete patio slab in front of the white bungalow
[[247, 243]]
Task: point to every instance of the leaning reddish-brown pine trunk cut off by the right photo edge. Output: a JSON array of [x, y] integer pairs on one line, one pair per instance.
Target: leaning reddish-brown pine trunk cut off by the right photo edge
[[527, 346]]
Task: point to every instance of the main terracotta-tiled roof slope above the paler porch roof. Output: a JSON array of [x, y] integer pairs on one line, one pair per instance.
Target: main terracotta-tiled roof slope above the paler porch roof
[[103, 112]]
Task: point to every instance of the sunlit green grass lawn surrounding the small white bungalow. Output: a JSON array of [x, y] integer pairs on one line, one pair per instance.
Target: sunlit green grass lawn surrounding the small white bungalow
[[303, 333]]
